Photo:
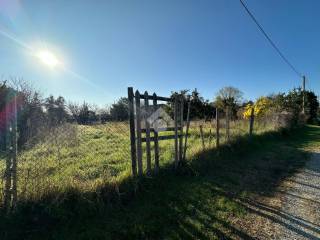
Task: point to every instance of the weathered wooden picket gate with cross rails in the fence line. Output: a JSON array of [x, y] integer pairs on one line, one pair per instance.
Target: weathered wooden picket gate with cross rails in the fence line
[[144, 128]]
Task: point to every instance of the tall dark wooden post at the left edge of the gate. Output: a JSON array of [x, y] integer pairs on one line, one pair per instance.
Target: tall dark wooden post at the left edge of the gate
[[132, 132]]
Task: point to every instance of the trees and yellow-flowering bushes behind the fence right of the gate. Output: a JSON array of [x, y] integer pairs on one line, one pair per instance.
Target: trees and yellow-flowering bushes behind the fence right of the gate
[[232, 98]]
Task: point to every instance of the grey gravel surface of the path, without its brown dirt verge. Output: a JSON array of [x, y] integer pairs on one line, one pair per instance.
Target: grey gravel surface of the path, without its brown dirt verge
[[301, 203]]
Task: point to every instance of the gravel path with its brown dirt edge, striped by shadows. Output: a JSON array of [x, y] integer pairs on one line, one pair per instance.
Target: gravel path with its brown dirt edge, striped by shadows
[[293, 214]]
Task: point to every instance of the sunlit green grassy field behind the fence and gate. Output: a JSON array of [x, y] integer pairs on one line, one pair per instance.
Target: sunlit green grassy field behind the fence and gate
[[85, 158]]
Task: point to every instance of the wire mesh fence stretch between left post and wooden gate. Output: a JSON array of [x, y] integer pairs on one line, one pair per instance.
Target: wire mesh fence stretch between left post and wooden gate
[[73, 156]]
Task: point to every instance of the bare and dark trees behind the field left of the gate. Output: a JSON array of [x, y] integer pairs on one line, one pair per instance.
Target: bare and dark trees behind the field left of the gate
[[36, 114]]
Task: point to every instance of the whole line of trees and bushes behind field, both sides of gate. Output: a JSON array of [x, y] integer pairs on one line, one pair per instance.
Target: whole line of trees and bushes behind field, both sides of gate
[[36, 112]]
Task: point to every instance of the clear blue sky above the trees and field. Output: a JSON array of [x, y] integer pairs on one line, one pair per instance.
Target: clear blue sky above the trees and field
[[161, 46]]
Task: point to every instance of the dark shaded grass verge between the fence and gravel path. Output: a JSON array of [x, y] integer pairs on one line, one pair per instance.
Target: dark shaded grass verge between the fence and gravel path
[[199, 201]]
